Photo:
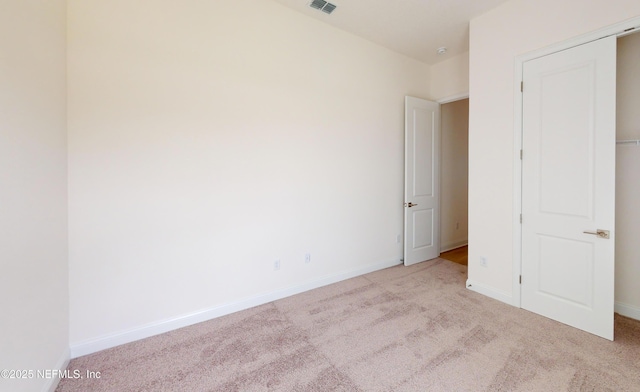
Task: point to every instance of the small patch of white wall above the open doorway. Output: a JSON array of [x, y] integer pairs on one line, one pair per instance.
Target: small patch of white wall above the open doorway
[[450, 78]]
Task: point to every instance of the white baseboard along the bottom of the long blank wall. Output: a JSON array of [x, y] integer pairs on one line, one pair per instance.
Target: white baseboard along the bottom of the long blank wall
[[112, 340]]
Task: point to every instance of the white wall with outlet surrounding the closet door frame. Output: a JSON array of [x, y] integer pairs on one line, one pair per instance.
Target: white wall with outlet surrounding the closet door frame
[[497, 37]]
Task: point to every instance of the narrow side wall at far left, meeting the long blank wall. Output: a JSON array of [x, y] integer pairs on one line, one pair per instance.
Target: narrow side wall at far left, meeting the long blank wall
[[33, 212]]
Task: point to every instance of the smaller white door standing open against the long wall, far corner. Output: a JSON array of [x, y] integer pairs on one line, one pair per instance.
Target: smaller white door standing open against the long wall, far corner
[[422, 170]]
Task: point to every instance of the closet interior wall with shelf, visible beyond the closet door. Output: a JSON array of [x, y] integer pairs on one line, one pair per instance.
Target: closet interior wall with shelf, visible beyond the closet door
[[628, 175]]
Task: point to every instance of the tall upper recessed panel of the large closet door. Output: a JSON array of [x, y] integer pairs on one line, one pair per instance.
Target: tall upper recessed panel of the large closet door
[[566, 141]]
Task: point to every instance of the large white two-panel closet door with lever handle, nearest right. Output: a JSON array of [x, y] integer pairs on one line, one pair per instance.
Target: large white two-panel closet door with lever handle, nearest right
[[568, 188]]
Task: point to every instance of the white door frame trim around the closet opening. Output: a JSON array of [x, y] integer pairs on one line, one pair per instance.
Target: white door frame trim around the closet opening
[[626, 27]]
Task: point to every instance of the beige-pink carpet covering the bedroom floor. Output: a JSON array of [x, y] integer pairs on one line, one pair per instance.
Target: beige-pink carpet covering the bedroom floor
[[401, 329]]
